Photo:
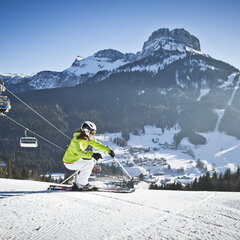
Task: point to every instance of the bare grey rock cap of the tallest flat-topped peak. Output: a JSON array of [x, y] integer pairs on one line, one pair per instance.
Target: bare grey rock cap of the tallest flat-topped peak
[[178, 35]]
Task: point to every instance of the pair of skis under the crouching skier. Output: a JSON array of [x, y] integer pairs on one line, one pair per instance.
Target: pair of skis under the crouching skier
[[116, 189]]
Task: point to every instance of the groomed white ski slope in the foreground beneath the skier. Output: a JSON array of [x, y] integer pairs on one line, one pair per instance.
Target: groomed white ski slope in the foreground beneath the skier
[[28, 211]]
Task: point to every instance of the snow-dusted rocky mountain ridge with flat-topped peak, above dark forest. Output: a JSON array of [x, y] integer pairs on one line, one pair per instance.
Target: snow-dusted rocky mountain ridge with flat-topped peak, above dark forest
[[163, 48]]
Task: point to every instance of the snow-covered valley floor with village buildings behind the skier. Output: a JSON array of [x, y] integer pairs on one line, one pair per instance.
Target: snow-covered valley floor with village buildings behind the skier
[[153, 154]]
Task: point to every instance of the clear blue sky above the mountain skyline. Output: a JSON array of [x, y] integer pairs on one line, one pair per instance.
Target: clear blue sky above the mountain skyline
[[39, 35]]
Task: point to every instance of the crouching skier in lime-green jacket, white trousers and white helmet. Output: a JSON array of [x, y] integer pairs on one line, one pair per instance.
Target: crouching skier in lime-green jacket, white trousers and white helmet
[[77, 156]]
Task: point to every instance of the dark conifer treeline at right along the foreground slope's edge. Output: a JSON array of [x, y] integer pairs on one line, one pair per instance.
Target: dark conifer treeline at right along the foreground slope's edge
[[223, 182]]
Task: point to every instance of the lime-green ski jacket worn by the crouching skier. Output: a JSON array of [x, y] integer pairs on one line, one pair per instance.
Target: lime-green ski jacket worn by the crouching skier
[[76, 149]]
